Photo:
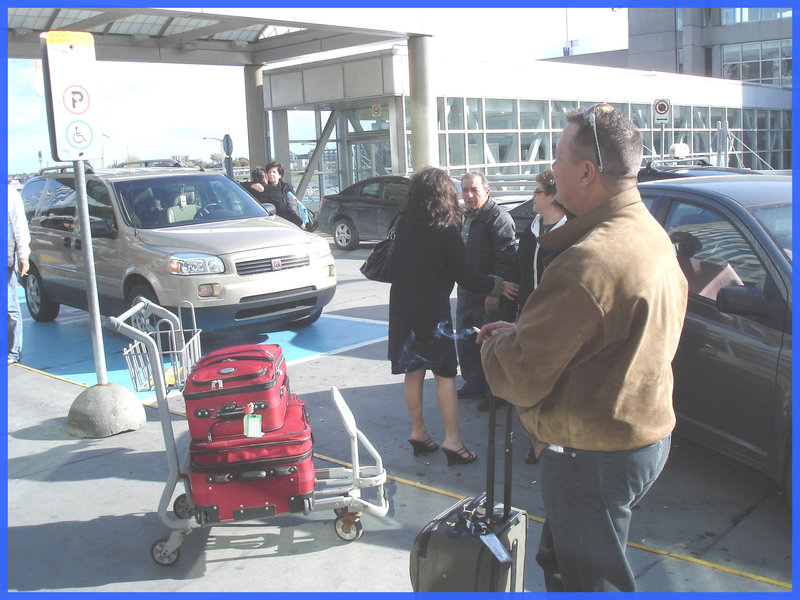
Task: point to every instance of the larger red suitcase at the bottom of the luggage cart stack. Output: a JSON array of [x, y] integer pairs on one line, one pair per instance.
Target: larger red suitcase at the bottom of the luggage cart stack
[[238, 478]]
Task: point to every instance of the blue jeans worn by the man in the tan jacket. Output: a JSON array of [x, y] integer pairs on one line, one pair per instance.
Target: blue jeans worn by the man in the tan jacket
[[588, 497]]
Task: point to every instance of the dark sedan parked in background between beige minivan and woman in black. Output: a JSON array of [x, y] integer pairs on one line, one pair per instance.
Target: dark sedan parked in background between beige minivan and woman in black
[[363, 211]]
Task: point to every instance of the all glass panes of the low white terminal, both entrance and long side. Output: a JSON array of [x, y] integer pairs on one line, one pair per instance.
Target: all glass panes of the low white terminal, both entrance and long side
[[516, 136]]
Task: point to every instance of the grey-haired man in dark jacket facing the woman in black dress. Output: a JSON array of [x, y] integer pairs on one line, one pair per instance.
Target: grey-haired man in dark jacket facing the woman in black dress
[[488, 233]]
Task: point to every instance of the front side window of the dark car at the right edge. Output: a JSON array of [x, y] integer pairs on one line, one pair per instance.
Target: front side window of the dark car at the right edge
[[711, 251]]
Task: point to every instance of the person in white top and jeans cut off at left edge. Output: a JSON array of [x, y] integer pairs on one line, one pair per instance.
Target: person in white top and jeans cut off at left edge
[[19, 249]]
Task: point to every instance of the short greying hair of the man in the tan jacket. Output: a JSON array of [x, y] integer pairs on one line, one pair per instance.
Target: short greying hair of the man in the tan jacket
[[620, 142]]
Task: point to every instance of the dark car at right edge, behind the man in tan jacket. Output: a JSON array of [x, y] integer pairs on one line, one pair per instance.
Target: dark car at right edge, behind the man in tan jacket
[[733, 368]]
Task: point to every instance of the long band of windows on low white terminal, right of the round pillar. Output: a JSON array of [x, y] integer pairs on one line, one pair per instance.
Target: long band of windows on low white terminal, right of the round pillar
[[519, 136]]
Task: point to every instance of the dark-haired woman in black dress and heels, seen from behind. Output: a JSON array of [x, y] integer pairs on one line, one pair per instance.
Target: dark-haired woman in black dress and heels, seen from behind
[[429, 258]]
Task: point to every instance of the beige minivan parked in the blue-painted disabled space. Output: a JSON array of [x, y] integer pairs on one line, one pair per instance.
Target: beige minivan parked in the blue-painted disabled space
[[173, 234]]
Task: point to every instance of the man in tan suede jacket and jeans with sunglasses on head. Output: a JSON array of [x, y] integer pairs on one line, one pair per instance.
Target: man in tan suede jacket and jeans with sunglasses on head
[[589, 363]]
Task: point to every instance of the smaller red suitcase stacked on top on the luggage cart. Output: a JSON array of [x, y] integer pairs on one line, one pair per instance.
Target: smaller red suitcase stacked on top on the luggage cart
[[224, 382]]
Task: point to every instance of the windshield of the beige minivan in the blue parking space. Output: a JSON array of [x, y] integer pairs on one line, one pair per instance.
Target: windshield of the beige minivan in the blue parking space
[[175, 201]]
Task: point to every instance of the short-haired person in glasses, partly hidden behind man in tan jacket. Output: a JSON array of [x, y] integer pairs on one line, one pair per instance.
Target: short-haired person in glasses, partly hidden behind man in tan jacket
[[528, 263]]
